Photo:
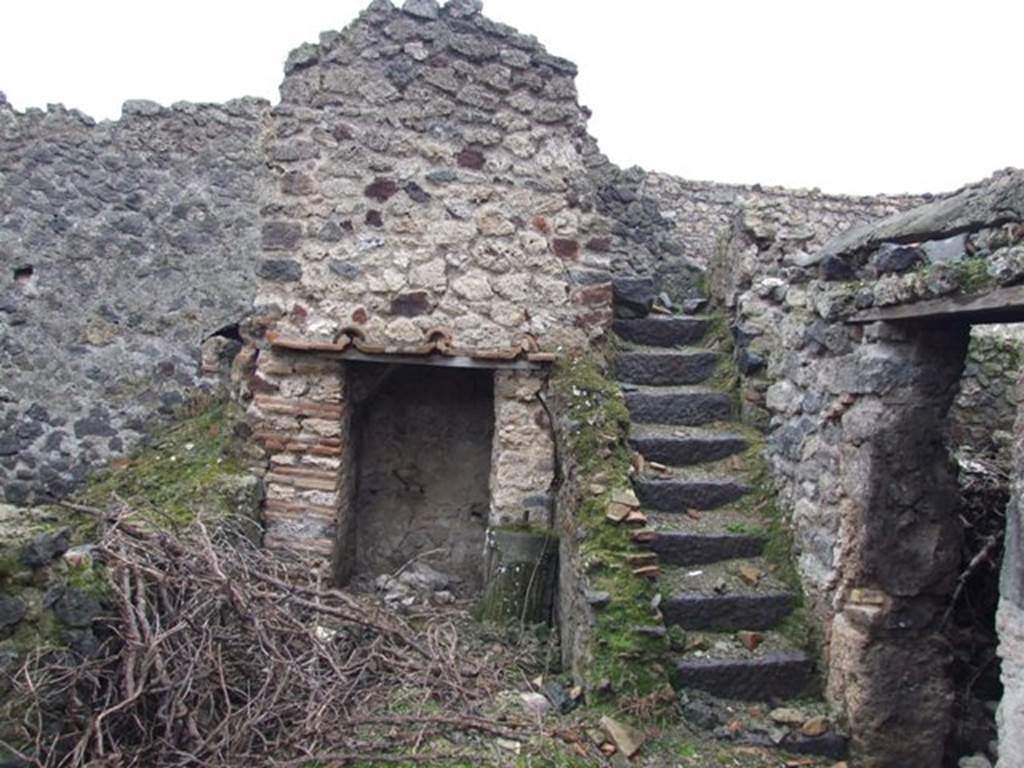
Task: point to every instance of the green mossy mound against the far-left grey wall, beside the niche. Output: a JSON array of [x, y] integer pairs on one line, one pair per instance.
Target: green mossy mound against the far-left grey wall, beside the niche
[[182, 472]]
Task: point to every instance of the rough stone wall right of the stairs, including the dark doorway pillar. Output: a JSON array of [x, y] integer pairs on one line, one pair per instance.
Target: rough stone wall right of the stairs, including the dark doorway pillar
[[860, 432]]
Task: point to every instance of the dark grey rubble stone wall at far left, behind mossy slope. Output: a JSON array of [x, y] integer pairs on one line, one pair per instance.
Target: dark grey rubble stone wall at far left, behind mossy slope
[[122, 246]]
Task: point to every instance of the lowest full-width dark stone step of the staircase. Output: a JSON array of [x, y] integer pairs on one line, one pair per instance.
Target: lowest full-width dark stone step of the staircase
[[781, 675]]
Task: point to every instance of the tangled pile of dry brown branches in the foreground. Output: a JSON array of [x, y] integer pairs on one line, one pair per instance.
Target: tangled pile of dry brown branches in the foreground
[[218, 654]]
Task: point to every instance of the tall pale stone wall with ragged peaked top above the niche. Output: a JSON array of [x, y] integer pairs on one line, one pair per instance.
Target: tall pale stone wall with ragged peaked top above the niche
[[422, 165]]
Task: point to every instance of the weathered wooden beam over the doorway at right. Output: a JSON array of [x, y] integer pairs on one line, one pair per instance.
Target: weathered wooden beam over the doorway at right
[[998, 306]]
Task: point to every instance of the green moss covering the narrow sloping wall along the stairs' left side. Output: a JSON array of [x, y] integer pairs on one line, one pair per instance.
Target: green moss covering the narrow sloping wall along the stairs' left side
[[624, 663]]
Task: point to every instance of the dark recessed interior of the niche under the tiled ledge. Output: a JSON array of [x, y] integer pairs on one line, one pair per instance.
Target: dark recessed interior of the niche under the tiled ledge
[[423, 438]]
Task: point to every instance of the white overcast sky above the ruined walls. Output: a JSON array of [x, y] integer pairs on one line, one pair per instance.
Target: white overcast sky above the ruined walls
[[857, 97]]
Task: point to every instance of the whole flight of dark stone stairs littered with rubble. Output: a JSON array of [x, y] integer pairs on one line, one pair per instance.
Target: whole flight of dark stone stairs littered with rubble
[[692, 483]]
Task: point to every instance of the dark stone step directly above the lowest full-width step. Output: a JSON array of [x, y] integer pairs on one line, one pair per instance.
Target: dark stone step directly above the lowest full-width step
[[728, 613]]
